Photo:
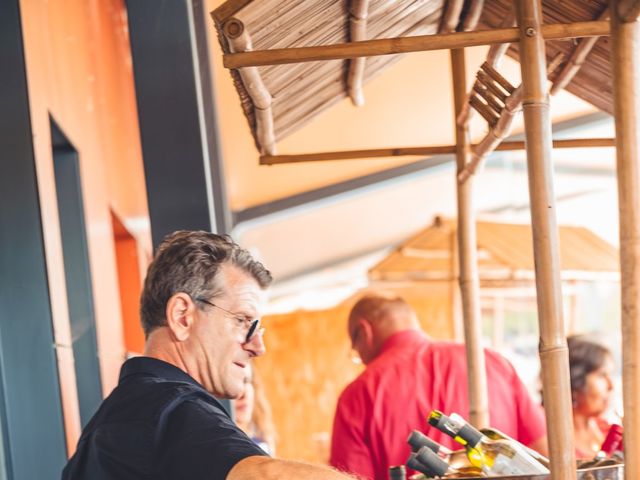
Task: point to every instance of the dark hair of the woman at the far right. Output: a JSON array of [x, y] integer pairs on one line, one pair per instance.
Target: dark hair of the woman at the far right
[[585, 356]]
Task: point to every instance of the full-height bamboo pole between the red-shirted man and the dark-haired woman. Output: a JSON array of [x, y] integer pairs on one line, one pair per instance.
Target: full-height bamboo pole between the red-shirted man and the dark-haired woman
[[553, 344]]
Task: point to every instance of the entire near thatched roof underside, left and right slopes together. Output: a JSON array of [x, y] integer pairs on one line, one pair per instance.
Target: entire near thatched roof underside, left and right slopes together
[[293, 94]]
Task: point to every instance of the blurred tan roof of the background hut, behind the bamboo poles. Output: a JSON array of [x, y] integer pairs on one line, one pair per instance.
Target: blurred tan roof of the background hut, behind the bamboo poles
[[505, 253]]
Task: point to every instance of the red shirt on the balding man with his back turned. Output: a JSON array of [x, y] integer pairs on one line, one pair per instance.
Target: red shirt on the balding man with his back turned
[[411, 376]]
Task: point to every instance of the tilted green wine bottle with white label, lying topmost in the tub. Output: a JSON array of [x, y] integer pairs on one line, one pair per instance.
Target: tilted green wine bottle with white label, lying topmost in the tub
[[494, 457]]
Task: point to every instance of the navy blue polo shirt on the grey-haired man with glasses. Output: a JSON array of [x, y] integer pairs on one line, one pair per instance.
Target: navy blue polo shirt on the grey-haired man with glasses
[[158, 423]]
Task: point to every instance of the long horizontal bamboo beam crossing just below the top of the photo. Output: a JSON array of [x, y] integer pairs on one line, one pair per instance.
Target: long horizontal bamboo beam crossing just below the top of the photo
[[420, 43]]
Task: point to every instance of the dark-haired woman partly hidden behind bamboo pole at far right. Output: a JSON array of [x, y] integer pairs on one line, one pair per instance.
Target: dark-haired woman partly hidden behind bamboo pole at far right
[[591, 369]]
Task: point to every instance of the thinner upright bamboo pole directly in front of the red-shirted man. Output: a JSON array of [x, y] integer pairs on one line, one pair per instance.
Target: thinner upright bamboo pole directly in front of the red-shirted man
[[468, 259]]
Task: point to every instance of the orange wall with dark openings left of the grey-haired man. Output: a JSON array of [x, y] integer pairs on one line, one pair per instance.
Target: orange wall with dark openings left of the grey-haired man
[[79, 71]]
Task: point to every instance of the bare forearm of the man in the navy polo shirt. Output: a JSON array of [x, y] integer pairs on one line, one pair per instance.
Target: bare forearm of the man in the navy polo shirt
[[266, 468]]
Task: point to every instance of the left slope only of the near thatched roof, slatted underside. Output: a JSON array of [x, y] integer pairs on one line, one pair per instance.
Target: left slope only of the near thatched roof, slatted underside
[[301, 91]]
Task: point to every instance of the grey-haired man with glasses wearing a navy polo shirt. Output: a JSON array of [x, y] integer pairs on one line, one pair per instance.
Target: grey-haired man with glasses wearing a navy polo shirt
[[200, 311]]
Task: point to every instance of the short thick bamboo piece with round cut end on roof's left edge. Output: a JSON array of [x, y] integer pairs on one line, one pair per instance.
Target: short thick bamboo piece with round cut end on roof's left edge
[[240, 41]]
